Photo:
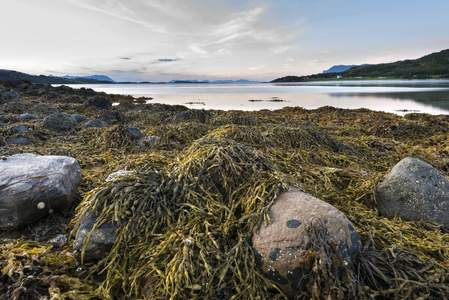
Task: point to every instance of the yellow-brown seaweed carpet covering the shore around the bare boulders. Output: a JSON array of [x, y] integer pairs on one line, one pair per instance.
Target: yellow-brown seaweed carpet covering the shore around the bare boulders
[[337, 155]]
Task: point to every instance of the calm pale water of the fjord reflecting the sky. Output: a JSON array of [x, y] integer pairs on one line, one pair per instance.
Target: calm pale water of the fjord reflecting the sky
[[429, 96]]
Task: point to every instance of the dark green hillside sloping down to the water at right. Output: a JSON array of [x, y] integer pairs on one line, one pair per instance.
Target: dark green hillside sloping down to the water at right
[[435, 65]]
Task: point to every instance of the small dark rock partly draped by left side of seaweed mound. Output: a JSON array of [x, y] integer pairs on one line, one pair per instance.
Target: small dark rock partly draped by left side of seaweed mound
[[100, 242]]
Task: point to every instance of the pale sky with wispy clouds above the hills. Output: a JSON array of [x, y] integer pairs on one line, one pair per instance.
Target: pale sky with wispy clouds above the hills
[[160, 40]]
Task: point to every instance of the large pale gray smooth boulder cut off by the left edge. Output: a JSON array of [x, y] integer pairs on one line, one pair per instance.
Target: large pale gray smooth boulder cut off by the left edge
[[33, 186]]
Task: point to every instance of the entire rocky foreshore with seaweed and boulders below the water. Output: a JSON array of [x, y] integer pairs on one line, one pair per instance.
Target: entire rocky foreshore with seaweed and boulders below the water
[[110, 197]]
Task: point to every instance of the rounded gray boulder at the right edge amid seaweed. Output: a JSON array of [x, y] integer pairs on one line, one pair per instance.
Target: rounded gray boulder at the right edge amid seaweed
[[416, 191]]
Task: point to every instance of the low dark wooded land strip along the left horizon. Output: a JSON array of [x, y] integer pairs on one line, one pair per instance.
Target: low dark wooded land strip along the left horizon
[[42, 79]]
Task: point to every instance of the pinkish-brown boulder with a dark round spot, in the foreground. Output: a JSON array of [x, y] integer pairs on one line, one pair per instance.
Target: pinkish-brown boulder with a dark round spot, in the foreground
[[279, 245]]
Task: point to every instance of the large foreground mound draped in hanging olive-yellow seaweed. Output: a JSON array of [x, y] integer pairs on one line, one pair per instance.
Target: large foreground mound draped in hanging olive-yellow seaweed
[[186, 232]]
